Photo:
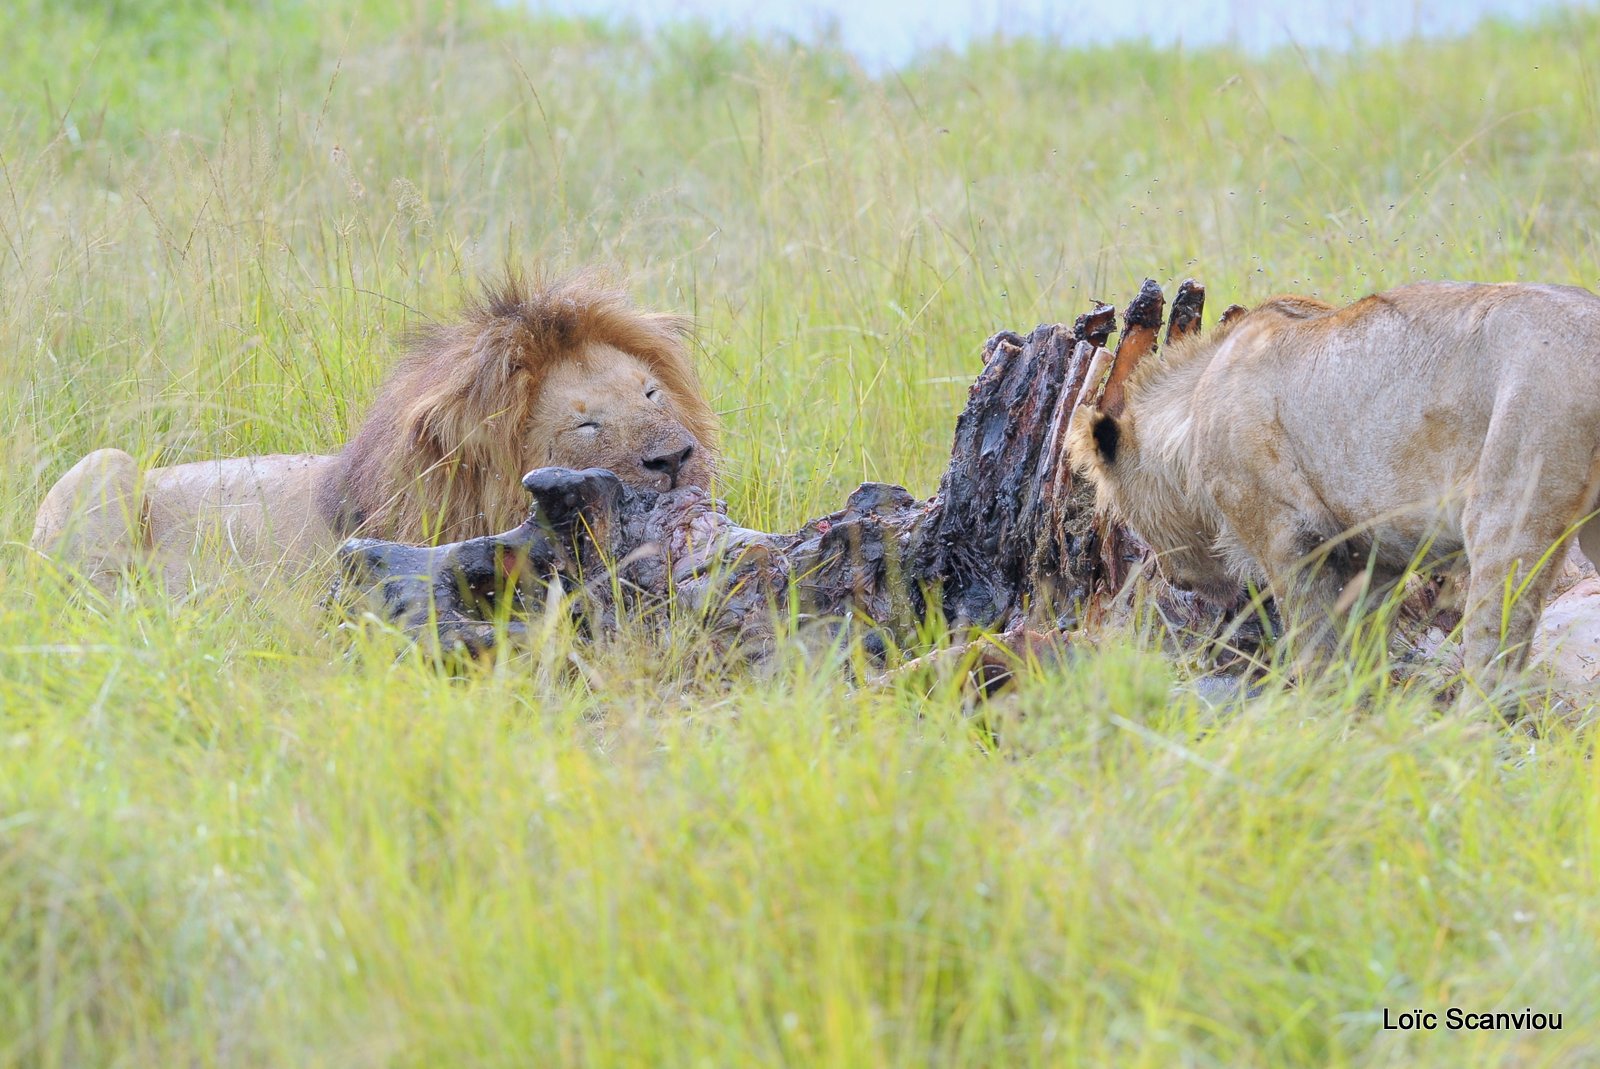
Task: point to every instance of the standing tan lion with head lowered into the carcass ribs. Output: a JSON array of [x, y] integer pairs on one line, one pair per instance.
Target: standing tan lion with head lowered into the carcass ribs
[[1305, 446]]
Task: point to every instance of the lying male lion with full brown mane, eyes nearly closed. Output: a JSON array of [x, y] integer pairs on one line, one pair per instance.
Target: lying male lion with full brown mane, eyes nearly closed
[[567, 374]]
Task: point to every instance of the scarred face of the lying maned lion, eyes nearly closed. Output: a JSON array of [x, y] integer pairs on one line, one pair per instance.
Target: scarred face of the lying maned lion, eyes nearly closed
[[609, 410]]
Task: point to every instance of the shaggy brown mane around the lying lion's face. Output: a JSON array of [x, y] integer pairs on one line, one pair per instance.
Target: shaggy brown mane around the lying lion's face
[[441, 452]]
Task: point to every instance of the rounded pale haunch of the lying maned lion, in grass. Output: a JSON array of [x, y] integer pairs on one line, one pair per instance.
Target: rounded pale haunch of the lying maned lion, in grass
[[94, 519]]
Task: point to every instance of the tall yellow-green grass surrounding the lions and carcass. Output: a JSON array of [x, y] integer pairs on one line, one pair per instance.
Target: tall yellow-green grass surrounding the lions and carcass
[[228, 839]]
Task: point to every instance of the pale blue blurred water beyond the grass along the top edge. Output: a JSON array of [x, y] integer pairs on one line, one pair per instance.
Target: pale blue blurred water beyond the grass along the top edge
[[886, 34]]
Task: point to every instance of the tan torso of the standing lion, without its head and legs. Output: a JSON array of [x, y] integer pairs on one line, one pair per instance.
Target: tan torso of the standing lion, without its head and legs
[[1388, 402]]
